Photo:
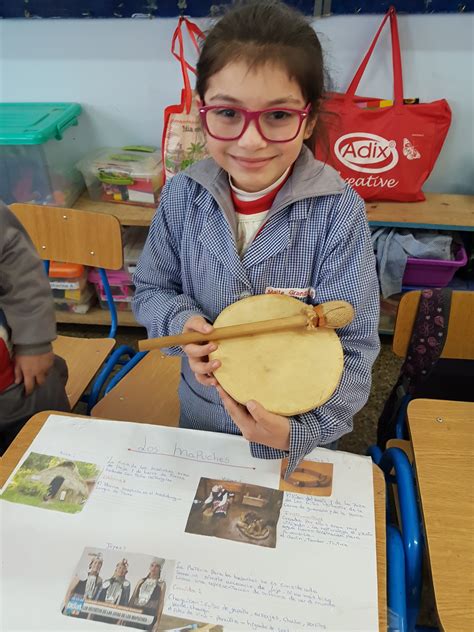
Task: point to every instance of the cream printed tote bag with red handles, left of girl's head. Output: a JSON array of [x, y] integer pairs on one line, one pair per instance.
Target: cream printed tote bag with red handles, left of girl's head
[[183, 139]]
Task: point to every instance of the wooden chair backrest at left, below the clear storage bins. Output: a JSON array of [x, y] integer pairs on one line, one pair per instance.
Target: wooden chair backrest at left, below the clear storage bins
[[72, 235]]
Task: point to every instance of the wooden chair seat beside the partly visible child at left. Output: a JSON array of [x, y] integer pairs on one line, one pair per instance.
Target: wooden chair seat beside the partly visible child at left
[[84, 357]]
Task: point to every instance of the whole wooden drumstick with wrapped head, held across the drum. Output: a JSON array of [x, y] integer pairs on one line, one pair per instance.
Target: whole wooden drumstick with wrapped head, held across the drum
[[333, 314]]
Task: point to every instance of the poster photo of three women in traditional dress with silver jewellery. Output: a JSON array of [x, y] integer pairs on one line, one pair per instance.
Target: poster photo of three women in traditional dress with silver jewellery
[[119, 588]]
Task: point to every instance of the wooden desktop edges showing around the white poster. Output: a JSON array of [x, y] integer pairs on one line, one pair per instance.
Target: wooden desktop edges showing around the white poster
[[34, 425]]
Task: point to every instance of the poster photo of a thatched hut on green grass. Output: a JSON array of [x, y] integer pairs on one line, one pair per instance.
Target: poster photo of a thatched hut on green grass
[[52, 482]]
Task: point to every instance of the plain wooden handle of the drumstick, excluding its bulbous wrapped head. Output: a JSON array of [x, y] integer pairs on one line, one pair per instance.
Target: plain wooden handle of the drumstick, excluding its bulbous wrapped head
[[221, 333]]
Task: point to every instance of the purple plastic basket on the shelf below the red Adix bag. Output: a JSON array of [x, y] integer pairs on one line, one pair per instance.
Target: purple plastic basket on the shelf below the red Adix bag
[[433, 272]]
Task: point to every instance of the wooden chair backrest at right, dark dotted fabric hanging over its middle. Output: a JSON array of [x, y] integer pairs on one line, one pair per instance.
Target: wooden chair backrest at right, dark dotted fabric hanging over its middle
[[460, 340]]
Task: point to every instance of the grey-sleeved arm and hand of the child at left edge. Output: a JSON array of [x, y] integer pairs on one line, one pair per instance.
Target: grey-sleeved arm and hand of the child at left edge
[[25, 298]]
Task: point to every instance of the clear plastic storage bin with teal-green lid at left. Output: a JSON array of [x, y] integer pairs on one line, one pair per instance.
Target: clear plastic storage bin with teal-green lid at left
[[38, 153]]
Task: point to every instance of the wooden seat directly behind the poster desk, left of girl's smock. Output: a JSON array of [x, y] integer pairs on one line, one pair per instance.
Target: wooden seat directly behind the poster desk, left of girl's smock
[[147, 394]]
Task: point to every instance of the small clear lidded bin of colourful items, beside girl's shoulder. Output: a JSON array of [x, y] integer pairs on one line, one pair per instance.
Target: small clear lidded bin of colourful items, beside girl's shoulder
[[129, 175]]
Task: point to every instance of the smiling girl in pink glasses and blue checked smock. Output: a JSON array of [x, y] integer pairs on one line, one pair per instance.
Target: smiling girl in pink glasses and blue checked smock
[[261, 215]]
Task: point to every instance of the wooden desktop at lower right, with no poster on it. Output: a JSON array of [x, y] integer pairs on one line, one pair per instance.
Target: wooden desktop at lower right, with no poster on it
[[442, 435]]
